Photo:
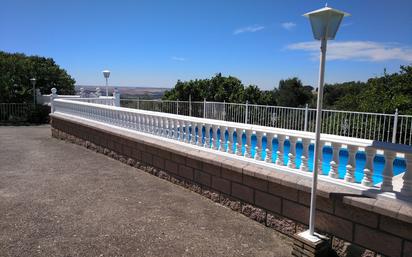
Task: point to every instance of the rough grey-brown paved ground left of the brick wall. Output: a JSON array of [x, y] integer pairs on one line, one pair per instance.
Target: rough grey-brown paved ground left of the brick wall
[[59, 199]]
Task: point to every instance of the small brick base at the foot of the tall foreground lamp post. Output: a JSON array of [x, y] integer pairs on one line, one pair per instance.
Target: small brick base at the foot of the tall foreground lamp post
[[306, 245]]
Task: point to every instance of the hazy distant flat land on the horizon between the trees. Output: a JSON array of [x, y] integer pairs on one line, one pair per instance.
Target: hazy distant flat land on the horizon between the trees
[[128, 92]]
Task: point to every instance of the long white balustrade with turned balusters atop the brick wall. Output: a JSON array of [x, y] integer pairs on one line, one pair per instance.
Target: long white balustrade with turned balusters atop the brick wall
[[227, 138]]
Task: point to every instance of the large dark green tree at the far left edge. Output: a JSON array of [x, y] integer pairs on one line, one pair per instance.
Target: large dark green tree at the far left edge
[[17, 69]]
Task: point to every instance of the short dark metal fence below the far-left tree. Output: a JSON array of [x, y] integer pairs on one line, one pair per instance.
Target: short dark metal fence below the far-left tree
[[14, 112]]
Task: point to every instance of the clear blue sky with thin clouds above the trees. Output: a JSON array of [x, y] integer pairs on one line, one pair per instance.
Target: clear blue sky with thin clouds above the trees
[[155, 43]]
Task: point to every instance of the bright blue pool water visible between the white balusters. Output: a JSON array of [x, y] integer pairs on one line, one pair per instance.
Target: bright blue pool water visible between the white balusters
[[399, 165]]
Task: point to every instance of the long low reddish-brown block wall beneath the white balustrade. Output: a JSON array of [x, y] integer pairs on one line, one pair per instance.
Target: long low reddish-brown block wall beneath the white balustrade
[[276, 199]]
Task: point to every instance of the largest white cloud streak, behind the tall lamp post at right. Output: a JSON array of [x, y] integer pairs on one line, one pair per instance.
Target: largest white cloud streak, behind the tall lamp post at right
[[357, 50]]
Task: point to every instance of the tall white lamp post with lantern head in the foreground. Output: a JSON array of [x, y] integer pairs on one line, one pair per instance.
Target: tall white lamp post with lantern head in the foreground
[[325, 23]]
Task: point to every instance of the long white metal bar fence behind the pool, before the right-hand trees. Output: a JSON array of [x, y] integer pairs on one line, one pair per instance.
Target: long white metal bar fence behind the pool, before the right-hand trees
[[374, 126]]
